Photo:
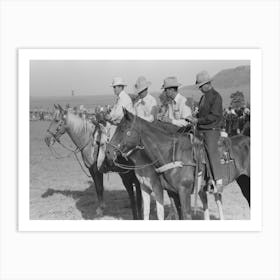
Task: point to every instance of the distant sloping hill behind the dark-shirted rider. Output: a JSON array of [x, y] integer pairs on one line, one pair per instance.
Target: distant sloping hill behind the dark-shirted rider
[[225, 82]]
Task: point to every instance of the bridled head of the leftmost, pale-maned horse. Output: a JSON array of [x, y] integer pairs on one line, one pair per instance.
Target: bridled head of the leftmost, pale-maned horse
[[57, 126]]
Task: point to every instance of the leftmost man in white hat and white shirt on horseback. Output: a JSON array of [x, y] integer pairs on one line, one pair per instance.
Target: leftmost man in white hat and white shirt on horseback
[[123, 100]]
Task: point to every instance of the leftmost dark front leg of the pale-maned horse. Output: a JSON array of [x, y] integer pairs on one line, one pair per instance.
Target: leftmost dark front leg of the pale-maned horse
[[98, 182]]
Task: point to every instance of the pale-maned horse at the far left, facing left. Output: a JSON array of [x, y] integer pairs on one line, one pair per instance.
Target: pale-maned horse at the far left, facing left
[[86, 136]]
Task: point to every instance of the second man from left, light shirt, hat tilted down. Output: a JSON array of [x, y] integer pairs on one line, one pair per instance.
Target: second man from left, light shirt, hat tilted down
[[145, 105]]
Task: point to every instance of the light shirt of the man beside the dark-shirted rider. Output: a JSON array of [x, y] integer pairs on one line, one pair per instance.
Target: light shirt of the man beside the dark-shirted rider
[[178, 109]]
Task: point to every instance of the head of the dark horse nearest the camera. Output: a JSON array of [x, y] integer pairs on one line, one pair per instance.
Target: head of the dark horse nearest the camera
[[126, 138]]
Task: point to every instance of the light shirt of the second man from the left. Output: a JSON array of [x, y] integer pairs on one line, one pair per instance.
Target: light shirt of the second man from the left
[[143, 107]]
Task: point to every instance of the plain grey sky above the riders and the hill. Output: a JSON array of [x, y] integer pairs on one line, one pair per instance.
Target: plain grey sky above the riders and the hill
[[94, 77]]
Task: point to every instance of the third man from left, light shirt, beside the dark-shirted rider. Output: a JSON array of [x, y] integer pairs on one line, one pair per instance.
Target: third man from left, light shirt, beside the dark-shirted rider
[[178, 110]]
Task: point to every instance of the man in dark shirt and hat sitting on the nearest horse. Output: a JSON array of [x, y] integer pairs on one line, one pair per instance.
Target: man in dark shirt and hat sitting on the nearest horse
[[209, 122]]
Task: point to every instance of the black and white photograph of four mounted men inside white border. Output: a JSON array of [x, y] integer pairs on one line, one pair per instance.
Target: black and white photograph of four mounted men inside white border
[[139, 139]]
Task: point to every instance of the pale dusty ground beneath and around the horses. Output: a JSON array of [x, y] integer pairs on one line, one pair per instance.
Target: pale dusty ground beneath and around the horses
[[60, 190]]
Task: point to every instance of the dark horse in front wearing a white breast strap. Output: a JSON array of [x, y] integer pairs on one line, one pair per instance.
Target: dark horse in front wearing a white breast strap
[[172, 155]]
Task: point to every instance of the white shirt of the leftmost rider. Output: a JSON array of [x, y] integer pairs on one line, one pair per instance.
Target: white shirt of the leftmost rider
[[123, 101]]
